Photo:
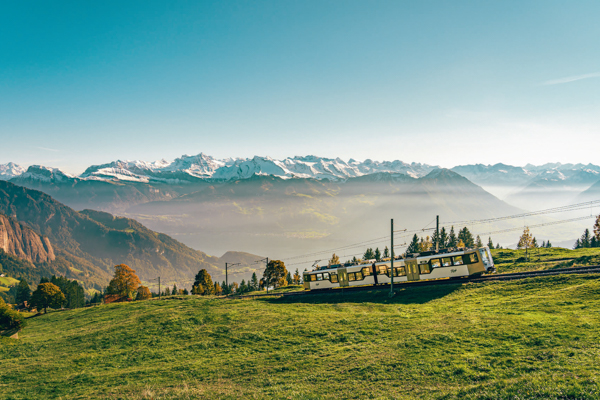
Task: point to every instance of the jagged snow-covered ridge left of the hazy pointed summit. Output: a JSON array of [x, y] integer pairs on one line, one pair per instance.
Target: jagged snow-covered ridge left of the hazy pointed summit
[[204, 167]]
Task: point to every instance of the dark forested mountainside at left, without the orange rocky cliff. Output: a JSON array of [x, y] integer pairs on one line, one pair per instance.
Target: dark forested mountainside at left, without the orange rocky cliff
[[88, 244]]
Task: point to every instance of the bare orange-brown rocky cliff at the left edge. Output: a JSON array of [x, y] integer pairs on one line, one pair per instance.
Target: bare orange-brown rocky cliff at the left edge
[[17, 239]]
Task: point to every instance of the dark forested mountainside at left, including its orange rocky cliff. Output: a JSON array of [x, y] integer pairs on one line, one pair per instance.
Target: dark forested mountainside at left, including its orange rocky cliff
[[86, 245]]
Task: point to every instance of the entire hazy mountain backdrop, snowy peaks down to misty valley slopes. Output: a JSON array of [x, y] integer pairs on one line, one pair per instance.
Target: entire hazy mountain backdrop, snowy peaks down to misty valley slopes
[[296, 205]]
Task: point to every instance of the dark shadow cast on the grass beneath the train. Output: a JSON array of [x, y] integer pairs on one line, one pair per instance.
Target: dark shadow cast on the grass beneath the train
[[416, 295]]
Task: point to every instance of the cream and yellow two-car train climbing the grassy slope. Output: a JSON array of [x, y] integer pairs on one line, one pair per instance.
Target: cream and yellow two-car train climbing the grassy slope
[[436, 264]]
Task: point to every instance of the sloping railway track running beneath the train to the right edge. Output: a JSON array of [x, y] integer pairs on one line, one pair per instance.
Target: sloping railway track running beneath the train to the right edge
[[498, 277]]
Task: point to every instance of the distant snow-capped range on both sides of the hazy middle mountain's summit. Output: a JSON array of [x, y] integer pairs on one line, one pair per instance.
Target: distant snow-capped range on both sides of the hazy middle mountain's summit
[[529, 187]]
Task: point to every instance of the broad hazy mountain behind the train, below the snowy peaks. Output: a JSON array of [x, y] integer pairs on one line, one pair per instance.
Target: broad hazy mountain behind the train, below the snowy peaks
[[285, 217]]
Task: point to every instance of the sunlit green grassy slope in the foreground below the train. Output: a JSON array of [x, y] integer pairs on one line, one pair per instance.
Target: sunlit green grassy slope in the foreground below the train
[[535, 338]]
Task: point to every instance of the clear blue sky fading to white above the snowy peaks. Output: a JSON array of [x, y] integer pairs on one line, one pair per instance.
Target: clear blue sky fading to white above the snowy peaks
[[440, 82]]
